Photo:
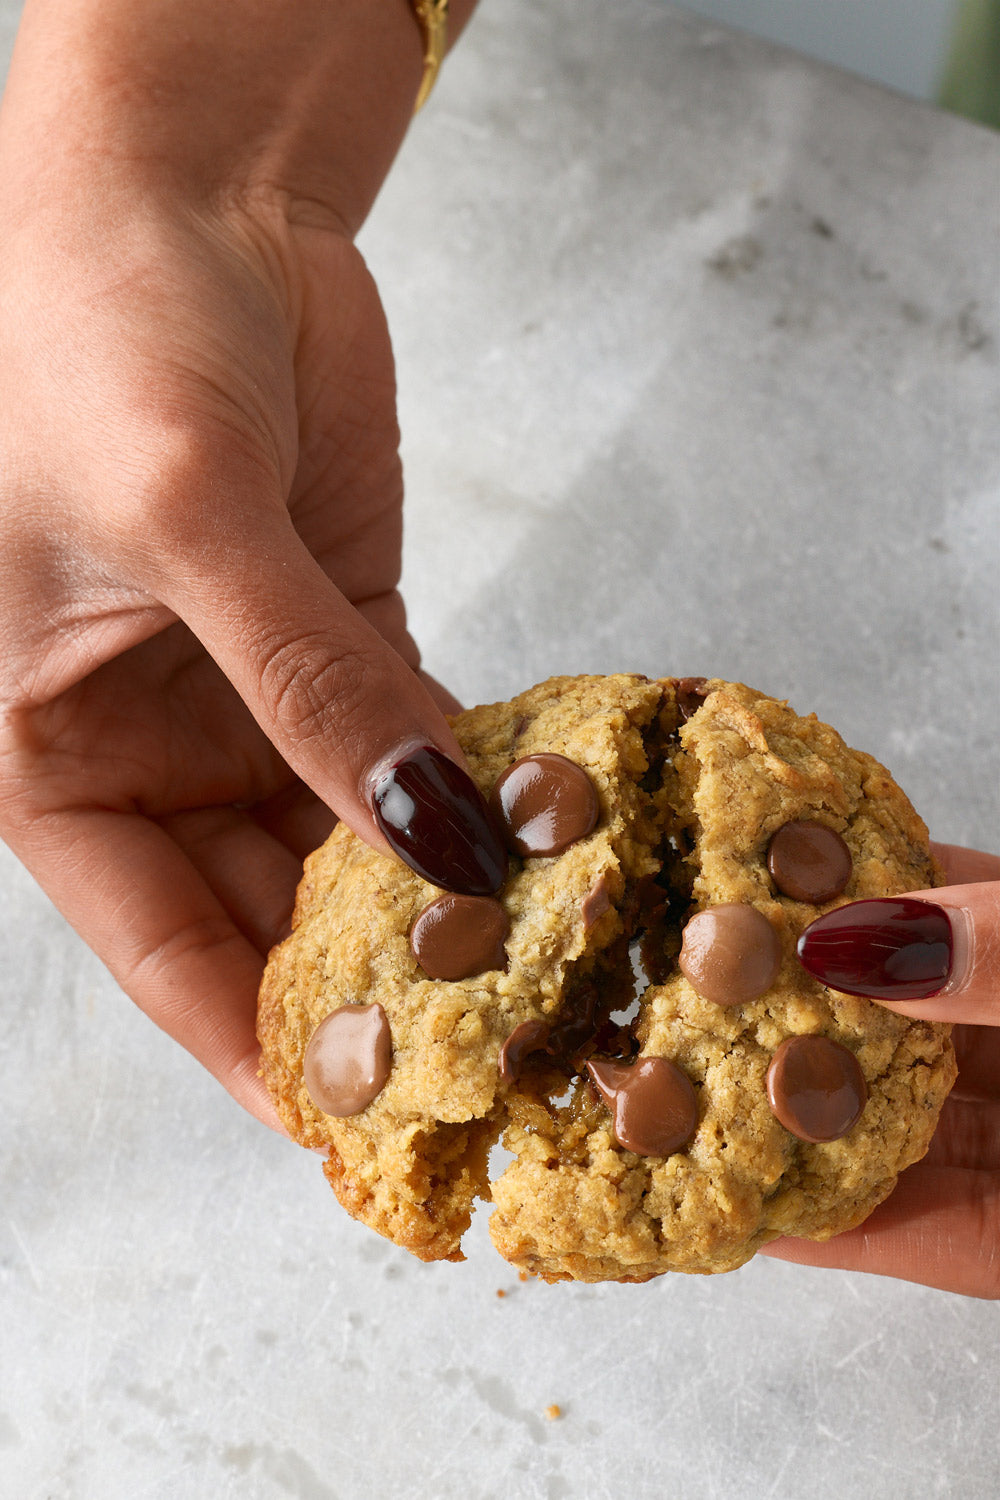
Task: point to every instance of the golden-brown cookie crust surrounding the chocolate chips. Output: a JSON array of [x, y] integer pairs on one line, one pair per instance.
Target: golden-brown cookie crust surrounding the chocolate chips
[[573, 1204]]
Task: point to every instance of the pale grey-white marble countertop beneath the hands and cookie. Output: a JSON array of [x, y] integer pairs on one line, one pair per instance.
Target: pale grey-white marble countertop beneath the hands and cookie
[[698, 349]]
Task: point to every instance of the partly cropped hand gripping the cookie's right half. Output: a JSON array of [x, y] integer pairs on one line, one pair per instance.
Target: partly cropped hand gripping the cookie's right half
[[942, 1223]]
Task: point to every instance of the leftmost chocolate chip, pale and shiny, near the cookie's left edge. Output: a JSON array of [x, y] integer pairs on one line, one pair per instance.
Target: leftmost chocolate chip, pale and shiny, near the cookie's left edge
[[349, 1060]]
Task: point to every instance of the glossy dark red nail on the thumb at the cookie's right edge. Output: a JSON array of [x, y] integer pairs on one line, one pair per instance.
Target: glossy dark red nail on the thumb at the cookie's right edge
[[894, 949]]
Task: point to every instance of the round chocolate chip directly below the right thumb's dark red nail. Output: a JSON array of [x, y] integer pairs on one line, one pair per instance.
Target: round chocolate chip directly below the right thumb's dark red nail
[[816, 1088]]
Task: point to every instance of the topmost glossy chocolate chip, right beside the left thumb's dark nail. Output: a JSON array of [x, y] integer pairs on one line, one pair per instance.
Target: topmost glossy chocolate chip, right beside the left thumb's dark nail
[[545, 803]]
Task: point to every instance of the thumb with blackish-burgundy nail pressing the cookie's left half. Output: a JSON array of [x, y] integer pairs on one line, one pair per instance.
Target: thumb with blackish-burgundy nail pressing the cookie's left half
[[343, 709]]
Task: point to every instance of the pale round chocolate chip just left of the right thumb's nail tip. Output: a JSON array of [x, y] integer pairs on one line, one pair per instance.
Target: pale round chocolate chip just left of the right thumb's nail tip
[[731, 953]]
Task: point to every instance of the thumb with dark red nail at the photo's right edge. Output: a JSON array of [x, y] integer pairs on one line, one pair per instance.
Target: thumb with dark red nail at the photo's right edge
[[932, 955]]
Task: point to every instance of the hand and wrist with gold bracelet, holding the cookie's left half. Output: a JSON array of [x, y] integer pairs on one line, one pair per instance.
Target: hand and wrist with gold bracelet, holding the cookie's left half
[[203, 650]]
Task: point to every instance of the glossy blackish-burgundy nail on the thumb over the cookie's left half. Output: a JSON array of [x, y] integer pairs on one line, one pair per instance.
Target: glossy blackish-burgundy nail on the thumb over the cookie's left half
[[436, 818]]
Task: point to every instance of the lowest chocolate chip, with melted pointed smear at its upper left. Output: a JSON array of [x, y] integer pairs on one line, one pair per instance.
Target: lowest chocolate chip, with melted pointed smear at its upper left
[[654, 1108]]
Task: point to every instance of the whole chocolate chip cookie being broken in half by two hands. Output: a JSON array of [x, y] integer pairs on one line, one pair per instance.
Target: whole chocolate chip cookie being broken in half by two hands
[[629, 1016]]
